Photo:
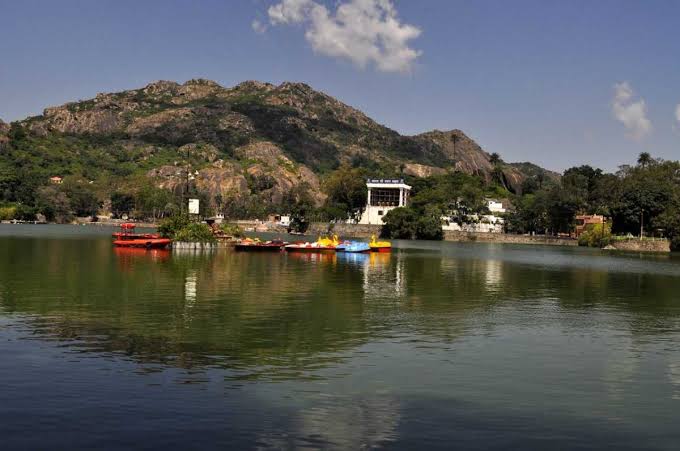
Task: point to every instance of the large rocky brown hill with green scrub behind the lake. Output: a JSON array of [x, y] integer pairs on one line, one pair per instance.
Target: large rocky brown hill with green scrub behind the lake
[[253, 136]]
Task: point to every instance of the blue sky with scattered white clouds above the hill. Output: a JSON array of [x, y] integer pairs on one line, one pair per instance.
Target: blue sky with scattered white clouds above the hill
[[557, 83]]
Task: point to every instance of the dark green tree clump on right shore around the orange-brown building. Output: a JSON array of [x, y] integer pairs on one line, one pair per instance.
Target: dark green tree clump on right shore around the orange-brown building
[[641, 200]]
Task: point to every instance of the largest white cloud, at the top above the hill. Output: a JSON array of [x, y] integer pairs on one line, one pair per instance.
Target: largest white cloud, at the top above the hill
[[362, 31]]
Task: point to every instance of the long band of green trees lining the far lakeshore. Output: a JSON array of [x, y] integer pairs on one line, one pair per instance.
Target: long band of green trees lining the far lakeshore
[[640, 200]]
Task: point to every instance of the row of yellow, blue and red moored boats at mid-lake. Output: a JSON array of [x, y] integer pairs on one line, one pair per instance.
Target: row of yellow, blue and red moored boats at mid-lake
[[322, 245]]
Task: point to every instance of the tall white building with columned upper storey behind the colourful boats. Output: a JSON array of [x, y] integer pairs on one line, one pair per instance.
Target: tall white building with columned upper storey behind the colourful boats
[[383, 195]]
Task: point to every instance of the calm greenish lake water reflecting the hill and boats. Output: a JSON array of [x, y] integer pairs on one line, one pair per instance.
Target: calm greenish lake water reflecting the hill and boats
[[438, 345]]
